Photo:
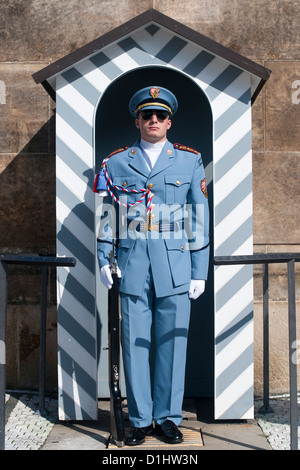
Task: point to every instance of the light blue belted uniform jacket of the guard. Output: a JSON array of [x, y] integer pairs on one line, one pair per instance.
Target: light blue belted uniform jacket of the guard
[[177, 249]]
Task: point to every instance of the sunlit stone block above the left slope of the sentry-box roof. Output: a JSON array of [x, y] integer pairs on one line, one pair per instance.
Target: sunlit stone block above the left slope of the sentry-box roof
[[37, 31]]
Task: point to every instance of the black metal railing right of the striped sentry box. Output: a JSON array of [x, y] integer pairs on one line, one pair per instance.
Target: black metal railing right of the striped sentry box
[[265, 260]]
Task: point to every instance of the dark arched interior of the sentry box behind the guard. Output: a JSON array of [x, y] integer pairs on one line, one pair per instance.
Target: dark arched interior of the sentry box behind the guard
[[193, 124]]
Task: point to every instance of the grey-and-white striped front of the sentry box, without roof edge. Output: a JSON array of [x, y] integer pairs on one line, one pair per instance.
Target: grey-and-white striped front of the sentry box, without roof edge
[[229, 89]]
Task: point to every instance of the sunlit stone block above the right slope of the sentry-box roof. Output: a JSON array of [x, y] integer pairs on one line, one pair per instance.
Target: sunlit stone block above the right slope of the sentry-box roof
[[260, 31]]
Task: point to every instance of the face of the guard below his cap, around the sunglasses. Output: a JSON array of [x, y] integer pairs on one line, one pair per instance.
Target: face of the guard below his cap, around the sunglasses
[[153, 130]]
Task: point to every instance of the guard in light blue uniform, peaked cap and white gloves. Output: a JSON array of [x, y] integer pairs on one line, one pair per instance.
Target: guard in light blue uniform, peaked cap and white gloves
[[156, 208]]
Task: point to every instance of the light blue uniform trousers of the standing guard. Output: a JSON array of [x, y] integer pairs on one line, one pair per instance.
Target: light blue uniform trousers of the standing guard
[[171, 316]]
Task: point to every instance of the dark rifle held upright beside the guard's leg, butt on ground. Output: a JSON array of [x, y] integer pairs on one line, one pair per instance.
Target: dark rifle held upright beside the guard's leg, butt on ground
[[116, 416]]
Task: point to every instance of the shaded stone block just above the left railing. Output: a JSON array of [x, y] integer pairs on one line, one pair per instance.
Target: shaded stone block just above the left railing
[[27, 194]]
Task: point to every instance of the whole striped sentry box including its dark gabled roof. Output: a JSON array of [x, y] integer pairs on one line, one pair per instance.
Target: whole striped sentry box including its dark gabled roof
[[224, 85]]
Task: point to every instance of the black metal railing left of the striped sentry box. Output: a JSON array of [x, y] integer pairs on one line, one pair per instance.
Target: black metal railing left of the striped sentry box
[[44, 262]]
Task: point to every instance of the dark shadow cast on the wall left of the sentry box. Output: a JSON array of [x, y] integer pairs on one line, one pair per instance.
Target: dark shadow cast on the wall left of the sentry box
[[28, 226]]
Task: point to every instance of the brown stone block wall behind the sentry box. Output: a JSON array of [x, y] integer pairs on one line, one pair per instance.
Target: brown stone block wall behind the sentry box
[[35, 33]]
